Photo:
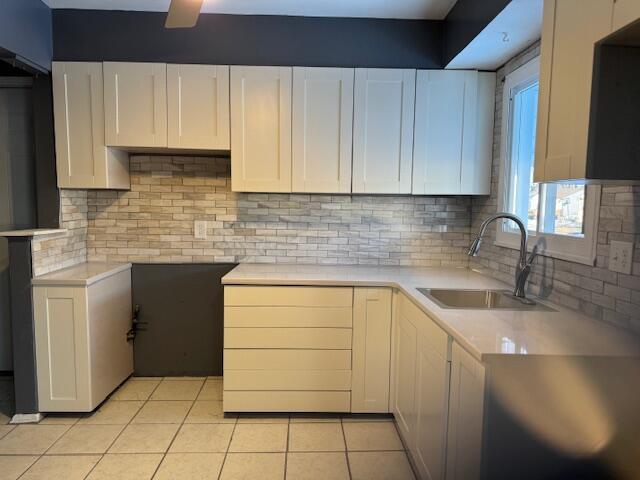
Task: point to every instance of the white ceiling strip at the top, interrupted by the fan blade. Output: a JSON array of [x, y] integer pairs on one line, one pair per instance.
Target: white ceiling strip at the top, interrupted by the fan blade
[[406, 9]]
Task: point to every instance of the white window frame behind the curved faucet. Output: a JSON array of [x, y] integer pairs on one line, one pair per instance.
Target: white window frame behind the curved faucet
[[575, 249]]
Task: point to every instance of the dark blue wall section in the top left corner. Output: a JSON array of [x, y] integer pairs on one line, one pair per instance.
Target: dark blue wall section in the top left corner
[[25, 30]]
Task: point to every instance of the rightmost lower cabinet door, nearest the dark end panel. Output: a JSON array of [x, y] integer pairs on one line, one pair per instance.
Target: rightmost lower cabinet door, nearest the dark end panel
[[466, 409]]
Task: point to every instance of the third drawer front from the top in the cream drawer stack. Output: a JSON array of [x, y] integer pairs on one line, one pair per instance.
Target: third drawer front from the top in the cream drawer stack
[[321, 338]]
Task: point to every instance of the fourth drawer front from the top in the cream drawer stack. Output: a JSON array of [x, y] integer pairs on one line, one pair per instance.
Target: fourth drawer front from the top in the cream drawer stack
[[287, 359]]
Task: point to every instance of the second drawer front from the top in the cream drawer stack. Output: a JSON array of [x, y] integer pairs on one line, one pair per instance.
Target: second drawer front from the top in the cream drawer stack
[[338, 317]]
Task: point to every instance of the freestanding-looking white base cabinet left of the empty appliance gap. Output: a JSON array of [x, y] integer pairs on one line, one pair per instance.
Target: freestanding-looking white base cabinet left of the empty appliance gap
[[82, 352]]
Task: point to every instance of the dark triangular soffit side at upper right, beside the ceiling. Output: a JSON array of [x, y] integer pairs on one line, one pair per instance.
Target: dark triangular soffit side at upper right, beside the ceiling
[[465, 21]]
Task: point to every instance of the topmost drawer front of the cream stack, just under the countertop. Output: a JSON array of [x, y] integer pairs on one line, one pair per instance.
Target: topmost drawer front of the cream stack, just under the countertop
[[288, 296]]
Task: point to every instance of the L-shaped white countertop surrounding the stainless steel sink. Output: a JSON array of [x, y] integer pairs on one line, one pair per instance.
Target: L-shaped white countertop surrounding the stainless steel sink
[[483, 333]]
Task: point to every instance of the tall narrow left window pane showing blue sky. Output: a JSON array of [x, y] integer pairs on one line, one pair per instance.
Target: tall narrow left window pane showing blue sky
[[524, 195]]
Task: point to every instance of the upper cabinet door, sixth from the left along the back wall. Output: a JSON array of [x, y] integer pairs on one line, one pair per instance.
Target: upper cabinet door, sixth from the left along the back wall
[[383, 130]]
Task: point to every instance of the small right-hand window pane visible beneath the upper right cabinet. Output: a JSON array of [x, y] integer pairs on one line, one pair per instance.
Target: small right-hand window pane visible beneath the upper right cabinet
[[563, 209]]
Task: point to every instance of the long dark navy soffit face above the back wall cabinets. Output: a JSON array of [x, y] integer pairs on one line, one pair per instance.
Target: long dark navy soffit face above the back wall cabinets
[[90, 35]]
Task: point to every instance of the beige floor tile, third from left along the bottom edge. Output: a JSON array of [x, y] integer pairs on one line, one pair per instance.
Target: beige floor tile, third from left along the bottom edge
[[126, 467]]
